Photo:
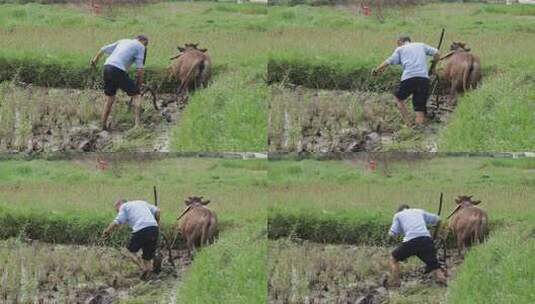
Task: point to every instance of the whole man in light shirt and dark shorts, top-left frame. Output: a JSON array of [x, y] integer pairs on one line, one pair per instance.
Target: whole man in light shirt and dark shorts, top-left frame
[[121, 55]]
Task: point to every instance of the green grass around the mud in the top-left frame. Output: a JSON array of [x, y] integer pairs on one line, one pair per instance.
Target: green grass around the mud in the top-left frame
[[52, 45]]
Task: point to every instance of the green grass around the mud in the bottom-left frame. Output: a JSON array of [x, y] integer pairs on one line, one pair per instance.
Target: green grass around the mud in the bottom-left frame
[[73, 201]]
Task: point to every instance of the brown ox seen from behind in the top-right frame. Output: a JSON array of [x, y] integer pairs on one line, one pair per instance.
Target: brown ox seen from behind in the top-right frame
[[463, 70]]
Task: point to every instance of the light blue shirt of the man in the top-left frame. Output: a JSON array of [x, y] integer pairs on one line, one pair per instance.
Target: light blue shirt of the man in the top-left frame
[[125, 52]]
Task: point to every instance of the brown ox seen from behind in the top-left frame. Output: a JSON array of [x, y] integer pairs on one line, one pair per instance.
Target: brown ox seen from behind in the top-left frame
[[192, 67]]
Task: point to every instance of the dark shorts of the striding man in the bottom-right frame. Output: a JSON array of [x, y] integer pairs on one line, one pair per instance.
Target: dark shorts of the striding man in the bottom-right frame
[[423, 248]]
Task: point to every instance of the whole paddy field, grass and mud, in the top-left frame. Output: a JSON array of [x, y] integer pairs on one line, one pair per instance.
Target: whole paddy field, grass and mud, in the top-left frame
[[50, 47]]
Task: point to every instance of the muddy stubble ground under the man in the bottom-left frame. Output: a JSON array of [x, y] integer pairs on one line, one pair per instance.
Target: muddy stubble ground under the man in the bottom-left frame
[[36, 272]]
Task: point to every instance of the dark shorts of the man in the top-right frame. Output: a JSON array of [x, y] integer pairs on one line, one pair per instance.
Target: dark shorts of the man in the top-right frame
[[418, 87]]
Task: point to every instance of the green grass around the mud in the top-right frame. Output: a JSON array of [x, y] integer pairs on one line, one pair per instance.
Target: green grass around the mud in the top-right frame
[[327, 47]]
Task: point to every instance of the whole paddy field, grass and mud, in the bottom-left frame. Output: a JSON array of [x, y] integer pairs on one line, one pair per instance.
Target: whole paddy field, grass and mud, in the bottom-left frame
[[56, 210]]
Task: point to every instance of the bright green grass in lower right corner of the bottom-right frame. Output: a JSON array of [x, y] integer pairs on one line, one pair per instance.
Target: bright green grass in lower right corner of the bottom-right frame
[[501, 271]]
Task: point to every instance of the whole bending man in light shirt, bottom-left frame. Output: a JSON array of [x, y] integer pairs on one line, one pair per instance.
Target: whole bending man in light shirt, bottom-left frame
[[144, 220]]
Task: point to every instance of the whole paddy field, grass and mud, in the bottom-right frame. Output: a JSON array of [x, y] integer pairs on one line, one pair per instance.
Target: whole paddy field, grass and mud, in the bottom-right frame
[[328, 222]]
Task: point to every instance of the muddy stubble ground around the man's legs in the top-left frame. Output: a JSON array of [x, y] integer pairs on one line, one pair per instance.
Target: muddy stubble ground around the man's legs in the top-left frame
[[37, 119]]
